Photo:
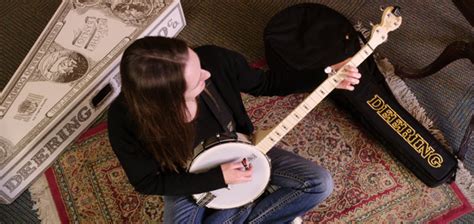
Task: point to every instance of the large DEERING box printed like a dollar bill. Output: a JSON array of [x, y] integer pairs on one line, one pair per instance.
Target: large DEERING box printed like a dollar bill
[[68, 78]]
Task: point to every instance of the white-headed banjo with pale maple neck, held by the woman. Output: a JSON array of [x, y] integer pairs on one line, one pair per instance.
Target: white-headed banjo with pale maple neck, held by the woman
[[222, 149]]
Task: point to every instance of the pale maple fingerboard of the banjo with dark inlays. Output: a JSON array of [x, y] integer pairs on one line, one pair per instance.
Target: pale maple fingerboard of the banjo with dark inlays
[[291, 120]]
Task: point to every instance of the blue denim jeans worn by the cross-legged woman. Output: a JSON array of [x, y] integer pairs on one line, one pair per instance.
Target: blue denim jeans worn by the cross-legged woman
[[301, 185]]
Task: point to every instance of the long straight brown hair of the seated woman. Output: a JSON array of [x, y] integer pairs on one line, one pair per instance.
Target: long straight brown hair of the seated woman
[[153, 84]]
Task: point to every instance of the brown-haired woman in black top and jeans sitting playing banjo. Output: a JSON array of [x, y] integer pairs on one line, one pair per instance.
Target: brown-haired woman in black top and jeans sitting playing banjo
[[174, 98]]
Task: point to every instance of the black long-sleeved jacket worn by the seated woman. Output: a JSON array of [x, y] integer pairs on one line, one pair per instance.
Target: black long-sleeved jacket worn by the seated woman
[[230, 74]]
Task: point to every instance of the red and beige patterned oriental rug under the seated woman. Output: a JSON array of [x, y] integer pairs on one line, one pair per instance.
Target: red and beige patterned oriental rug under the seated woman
[[88, 185]]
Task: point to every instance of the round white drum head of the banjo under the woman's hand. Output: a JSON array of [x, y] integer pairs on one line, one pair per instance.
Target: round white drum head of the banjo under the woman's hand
[[235, 195]]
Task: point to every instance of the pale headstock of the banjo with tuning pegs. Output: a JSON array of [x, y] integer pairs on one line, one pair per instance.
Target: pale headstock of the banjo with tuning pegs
[[391, 20]]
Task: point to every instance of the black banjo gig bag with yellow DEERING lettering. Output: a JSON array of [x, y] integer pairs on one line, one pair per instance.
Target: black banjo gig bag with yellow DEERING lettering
[[310, 37]]
